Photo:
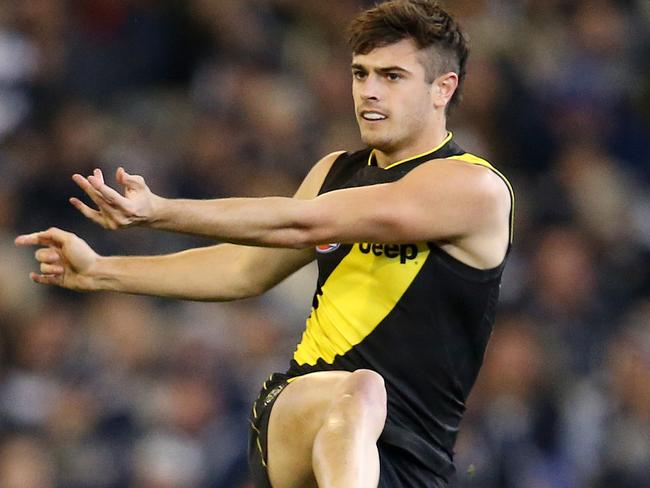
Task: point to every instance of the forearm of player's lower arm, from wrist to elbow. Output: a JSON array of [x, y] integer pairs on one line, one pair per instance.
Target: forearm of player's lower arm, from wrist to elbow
[[205, 274]]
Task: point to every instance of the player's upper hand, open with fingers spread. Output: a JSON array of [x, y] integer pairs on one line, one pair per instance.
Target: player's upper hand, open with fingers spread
[[115, 211]]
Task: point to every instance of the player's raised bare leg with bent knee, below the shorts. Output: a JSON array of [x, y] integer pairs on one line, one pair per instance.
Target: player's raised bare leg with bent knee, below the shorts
[[324, 426]]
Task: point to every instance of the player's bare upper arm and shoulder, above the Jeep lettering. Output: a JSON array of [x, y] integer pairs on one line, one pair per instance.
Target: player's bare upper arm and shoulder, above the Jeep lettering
[[437, 201]]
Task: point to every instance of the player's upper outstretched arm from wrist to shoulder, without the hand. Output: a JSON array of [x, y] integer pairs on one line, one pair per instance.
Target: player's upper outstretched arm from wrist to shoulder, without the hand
[[442, 200]]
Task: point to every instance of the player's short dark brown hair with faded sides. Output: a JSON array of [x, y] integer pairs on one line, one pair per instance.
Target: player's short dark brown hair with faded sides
[[432, 29]]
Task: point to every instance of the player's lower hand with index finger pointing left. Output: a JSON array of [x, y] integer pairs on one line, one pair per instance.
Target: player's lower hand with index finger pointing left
[[65, 260]]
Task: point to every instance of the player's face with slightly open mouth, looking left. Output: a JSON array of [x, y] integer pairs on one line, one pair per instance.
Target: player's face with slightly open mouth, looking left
[[392, 99]]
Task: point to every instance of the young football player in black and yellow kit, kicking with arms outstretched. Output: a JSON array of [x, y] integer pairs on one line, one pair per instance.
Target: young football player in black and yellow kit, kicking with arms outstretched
[[410, 235]]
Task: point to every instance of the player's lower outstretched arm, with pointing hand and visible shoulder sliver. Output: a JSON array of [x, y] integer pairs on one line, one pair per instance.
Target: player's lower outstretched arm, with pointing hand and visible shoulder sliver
[[216, 273]]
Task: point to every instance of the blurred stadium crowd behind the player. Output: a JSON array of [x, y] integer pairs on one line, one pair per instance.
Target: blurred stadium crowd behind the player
[[217, 98]]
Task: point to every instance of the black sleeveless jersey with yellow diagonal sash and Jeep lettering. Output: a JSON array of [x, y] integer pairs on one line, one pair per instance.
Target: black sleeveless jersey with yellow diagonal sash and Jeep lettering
[[409, 311]]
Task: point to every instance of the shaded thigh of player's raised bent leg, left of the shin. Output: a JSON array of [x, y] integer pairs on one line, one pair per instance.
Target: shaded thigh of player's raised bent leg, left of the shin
[[296, 417]]
